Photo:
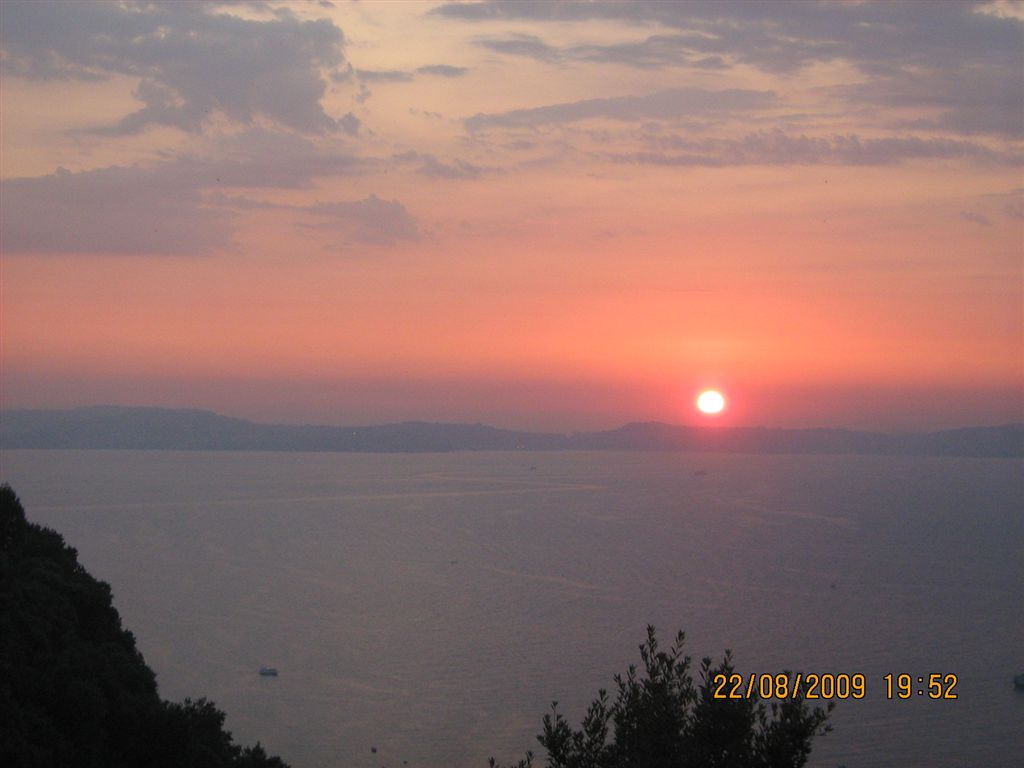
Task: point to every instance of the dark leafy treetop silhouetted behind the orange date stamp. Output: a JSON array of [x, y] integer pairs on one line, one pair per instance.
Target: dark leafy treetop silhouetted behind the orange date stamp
[[660, 718]]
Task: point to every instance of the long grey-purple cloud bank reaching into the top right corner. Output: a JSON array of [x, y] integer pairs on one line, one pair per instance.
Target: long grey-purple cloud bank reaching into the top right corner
[[964, 64]]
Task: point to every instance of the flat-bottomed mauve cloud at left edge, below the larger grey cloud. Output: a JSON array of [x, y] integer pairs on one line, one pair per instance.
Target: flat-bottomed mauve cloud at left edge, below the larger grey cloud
[[176, 207]]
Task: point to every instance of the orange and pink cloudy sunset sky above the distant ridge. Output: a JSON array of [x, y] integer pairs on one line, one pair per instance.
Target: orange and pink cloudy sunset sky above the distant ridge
[[550, 218]]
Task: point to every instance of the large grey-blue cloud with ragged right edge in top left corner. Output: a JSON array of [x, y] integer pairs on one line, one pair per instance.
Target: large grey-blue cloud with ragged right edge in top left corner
[[191, 61]]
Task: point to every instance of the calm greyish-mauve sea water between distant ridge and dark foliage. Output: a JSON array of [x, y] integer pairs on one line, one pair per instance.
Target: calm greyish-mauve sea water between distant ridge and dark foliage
[[432, 607]]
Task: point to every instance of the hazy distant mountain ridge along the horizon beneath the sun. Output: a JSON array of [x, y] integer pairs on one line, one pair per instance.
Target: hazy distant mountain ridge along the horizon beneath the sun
[[118, 428]]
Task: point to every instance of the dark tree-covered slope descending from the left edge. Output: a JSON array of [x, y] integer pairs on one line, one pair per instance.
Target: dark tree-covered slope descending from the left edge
[[74, 689]]
